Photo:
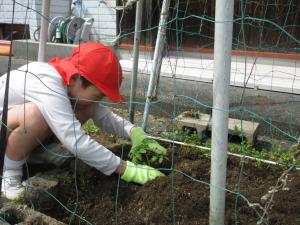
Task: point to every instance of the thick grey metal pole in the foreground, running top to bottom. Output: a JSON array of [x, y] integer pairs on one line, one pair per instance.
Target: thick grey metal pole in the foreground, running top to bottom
[[222, 63]]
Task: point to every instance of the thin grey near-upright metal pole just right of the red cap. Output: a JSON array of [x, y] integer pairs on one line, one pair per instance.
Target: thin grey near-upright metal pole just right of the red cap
[[136, 51]]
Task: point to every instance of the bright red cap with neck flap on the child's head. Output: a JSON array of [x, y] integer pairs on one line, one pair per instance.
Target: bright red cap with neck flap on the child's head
[[95, 62]]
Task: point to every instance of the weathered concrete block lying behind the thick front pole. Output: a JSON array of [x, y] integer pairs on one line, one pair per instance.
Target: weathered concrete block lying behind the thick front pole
[[202, 122]]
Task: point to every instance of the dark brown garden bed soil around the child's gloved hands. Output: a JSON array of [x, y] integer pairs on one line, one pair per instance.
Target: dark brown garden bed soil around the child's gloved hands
[[181, 197]]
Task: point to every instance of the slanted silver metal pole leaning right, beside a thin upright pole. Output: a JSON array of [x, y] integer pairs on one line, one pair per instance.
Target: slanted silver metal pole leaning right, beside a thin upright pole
[[156, 66]]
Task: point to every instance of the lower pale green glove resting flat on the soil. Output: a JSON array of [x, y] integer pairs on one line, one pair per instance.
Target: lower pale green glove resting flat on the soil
[[140, 174]]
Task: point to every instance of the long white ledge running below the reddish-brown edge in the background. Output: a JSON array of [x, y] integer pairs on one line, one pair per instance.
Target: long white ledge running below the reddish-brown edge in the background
[[274, 75]]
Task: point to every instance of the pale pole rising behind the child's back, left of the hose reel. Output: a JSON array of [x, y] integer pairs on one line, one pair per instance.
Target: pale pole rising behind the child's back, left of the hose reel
[[44, 30]]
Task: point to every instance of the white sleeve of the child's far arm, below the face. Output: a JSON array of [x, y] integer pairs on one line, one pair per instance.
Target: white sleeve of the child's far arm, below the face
[[110, 122]]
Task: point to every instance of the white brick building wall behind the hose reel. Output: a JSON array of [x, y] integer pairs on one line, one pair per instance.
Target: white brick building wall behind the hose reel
[[103, 12]]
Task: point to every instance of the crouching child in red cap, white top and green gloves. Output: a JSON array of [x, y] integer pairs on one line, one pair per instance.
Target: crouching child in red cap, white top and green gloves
[[56, 98]]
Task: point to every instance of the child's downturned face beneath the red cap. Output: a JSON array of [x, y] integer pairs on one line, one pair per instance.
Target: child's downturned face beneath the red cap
[[84, 95]]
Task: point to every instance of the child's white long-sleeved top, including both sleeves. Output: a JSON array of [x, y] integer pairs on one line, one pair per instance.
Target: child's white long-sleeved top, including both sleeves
[[41, 84]]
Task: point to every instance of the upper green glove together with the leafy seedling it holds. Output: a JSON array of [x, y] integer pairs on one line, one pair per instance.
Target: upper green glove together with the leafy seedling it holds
[[145, 149]]
